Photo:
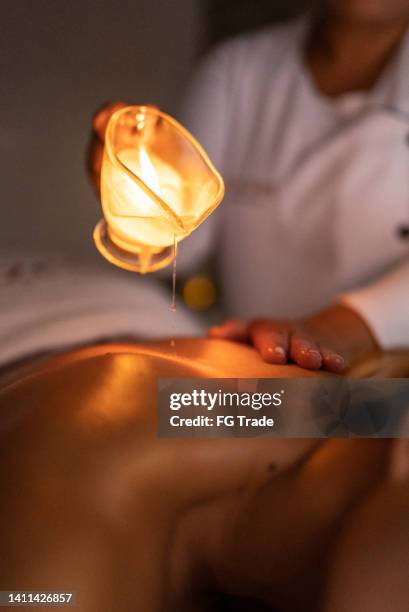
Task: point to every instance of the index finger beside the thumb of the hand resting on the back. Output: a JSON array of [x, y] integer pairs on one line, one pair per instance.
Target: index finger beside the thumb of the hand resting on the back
[[271, 340]]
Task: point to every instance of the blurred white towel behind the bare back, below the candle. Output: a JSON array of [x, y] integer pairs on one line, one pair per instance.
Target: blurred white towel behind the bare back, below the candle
[[51, 304]]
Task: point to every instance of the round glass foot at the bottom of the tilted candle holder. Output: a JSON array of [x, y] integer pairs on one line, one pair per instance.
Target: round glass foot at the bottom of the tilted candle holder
[[146, 260]]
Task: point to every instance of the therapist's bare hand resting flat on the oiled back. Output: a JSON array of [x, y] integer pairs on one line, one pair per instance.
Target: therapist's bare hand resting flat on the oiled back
[[330, 340]]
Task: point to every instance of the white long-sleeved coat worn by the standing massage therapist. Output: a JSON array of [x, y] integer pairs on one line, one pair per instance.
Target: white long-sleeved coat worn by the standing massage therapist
[[317, 190]]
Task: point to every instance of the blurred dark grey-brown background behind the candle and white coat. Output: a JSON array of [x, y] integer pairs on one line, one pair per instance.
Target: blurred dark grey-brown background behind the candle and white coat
[[60, 61]]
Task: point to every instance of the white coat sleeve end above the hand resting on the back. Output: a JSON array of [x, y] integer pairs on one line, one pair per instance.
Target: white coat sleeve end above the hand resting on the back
[[384, 305]]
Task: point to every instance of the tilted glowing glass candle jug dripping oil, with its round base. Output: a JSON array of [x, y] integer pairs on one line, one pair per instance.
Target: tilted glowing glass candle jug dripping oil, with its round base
[[157, 186]]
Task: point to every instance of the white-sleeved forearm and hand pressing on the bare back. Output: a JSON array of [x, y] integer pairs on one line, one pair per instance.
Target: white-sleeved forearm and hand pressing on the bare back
[[362, 321]]
